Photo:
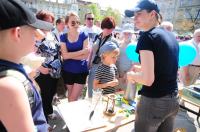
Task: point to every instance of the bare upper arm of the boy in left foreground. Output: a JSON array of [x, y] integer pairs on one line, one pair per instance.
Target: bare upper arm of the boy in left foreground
[[15, 111]]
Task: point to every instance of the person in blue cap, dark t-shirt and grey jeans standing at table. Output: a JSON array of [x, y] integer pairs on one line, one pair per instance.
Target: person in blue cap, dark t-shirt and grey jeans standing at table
[[158, 51]]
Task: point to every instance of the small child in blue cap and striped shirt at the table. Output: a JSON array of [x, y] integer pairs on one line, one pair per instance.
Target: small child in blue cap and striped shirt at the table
[[106, 74]]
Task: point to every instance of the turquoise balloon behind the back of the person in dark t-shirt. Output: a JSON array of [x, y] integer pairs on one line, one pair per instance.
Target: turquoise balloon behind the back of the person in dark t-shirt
[[187, 53]]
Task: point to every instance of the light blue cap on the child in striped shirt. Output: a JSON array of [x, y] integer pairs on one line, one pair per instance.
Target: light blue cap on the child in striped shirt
[[108, 46]]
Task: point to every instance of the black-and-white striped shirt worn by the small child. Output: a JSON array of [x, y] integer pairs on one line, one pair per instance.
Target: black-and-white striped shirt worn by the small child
[[106, 74]]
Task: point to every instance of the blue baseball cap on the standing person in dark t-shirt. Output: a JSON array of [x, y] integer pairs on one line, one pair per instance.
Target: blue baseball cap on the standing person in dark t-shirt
[[143, 5]]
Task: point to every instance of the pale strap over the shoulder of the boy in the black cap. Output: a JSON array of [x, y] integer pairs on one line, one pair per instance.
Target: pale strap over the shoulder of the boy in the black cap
[[22, 79]]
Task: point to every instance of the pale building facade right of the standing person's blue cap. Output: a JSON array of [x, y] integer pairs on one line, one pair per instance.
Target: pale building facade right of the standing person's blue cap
[[184, 14]]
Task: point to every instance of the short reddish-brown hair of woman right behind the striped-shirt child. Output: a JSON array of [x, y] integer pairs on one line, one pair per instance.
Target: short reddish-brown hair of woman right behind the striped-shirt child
[[108, 22]]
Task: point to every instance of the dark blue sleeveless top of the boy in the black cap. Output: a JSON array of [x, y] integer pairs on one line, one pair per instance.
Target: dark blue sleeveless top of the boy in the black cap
[[36, 108]]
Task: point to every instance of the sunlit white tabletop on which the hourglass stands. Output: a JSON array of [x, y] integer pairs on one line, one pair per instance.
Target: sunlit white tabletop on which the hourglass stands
[[76, 116]]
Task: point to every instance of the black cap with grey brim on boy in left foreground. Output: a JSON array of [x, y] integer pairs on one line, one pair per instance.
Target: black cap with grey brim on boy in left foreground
[[14, 13]]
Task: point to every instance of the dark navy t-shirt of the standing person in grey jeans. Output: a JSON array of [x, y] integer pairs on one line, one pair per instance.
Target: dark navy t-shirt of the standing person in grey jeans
[[165, 49]]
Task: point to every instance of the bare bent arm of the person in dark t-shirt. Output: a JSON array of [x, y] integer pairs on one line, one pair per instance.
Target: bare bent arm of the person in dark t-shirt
[[146, 75]]
